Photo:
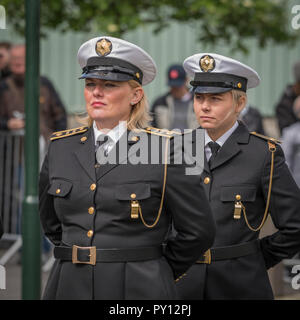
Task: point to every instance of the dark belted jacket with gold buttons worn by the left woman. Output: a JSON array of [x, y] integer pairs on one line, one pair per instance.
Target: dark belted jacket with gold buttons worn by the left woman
[[68, 218]]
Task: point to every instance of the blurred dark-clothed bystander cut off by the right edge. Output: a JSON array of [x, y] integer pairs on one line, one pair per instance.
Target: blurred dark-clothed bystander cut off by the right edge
[[284, 108]]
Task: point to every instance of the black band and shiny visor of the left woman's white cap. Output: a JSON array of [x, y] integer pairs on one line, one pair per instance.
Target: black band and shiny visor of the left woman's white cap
[[117, 69]]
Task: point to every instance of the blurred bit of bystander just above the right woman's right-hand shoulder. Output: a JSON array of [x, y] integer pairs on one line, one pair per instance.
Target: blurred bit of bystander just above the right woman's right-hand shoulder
[[252, 118]]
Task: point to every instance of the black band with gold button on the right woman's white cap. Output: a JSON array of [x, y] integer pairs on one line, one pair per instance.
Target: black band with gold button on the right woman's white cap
[[219, 80]]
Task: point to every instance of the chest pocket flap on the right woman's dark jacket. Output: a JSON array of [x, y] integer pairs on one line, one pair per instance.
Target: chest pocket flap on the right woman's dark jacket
[[247, 193]]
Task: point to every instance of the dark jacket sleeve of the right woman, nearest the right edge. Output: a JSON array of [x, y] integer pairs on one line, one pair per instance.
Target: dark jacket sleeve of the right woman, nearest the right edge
[[284, 210]]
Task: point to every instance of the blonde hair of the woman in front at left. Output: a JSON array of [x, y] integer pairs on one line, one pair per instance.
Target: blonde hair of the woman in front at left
[[139, 116]]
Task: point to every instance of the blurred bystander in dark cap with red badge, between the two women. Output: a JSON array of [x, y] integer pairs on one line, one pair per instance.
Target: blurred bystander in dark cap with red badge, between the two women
[[174, 110]]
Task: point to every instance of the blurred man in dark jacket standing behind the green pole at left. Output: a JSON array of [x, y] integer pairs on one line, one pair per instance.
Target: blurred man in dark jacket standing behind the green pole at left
[[12, 99]]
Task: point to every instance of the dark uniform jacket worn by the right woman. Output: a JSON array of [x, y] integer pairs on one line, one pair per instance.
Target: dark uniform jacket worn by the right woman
[[242, 167]]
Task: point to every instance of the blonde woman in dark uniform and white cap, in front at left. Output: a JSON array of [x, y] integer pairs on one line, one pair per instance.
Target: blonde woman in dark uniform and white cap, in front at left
[[107, 213]]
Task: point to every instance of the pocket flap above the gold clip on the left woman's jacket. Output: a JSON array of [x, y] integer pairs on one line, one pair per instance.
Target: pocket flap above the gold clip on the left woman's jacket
[[136, 191]]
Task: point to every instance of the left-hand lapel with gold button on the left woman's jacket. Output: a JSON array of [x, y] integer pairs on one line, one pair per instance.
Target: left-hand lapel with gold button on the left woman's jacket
[[85, 153]]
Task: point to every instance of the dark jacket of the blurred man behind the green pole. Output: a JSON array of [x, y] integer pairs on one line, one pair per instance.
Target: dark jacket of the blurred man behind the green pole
[[52, 112]]
